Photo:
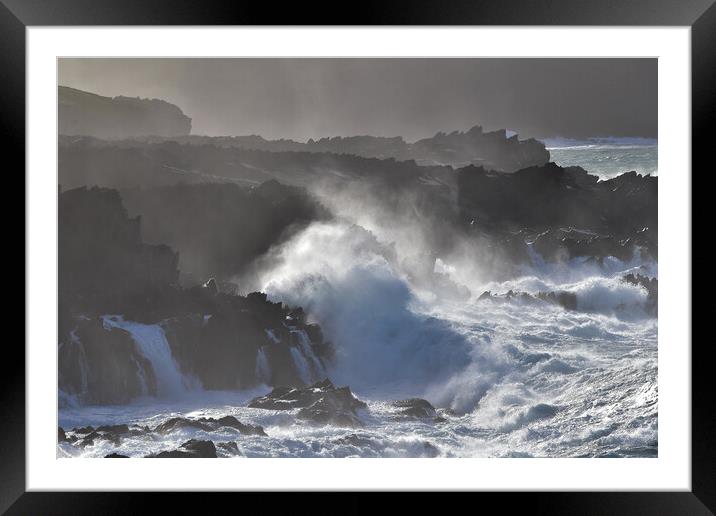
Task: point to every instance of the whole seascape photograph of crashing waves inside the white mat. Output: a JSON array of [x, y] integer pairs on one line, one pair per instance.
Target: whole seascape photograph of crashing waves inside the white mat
[[469, 294]]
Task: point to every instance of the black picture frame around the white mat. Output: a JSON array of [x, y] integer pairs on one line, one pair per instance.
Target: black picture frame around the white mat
[[700, 15]]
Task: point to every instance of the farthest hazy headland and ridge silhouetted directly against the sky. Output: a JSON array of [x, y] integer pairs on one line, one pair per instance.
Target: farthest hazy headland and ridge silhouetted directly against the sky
[[154, 120]]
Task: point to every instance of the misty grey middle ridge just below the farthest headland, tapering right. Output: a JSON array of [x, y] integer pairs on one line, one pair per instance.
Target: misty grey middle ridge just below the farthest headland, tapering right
[[133, 163]]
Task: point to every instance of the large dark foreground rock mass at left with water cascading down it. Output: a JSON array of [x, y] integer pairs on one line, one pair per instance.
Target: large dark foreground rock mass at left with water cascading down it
[[167, 339]]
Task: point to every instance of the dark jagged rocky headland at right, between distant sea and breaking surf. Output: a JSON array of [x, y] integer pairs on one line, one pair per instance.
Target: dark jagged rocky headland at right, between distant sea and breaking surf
[[561, 212]]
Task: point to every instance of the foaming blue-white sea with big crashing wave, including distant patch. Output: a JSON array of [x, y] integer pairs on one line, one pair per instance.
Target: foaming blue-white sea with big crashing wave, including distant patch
[[509, 379]]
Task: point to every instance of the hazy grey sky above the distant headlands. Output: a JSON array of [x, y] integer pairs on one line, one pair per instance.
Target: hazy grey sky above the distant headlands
[[414, 98]]
